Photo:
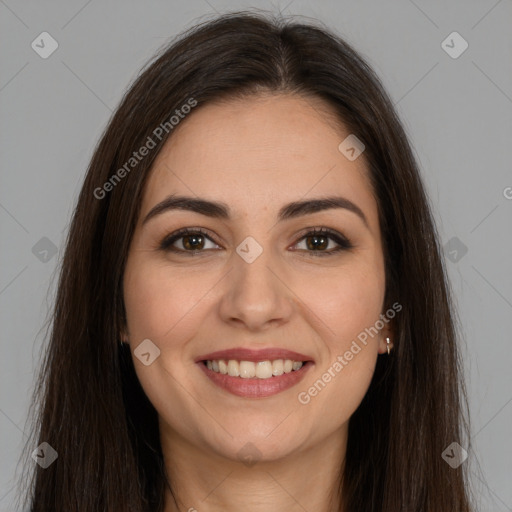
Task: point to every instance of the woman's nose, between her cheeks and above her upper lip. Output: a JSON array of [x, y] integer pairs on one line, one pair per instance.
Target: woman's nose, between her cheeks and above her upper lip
[[256, 296]]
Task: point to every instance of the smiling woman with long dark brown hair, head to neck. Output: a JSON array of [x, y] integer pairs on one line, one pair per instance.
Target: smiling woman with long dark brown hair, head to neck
[[252, 309]]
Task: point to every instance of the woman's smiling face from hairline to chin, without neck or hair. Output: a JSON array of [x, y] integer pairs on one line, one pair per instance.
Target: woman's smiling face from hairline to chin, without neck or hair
[[254, 286]]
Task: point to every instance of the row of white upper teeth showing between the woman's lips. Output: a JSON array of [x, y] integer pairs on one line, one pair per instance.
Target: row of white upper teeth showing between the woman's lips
[[250, 369]]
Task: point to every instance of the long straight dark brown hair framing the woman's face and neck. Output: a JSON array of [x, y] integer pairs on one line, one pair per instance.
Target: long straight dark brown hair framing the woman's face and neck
[[91, 407]]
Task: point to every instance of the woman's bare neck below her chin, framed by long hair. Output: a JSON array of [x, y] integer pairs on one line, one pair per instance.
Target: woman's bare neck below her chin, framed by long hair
[[205, 481]]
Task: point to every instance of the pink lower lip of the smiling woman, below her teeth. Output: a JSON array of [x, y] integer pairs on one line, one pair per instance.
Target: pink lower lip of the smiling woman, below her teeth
[[256, 388]]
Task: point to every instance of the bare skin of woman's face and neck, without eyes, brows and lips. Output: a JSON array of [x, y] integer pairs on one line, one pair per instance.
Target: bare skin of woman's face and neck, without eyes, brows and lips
[[255, 155]]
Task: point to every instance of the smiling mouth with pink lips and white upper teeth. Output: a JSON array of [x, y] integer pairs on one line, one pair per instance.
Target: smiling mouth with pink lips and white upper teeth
[[255, 374]]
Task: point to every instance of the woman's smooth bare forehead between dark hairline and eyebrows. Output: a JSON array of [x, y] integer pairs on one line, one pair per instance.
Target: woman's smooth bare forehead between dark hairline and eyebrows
[[259, 153]]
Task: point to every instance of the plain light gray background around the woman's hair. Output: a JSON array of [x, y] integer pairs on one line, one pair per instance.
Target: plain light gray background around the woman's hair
[[457, 113]]
